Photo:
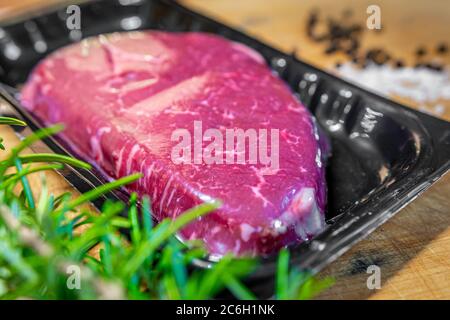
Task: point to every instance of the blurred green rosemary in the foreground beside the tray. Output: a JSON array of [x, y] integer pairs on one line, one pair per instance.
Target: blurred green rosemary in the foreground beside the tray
[[41, 245]]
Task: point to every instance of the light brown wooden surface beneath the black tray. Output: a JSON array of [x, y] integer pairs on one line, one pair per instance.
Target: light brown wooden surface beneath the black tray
[[413, 248]]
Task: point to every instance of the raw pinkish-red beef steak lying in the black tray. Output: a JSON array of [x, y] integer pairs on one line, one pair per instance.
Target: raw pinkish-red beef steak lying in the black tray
[[131, 101]]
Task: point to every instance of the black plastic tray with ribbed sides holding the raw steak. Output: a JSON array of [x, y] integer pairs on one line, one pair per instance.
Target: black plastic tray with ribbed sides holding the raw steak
[[384, 154]]
